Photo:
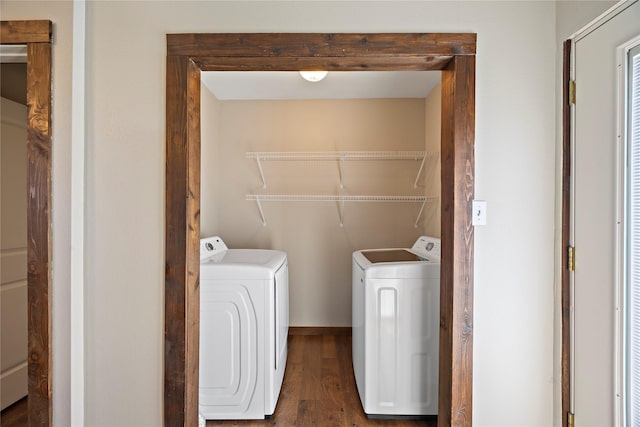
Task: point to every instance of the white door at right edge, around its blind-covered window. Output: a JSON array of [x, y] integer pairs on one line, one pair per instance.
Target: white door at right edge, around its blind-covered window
[[594, 217]]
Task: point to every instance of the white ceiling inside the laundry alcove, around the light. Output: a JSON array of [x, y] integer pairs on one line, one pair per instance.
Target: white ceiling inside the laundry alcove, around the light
[[255, 85]]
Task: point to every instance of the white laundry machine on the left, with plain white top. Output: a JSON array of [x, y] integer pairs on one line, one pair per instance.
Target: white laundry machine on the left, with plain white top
[[244, 323]]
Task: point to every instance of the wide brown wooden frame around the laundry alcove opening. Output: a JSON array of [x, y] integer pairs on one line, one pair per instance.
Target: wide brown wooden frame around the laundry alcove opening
[[188, 55]]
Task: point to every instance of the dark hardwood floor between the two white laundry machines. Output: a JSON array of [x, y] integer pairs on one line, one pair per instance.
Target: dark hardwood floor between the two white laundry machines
[[319, 388]]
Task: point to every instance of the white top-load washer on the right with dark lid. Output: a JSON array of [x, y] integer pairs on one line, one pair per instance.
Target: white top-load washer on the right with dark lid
[[396, 309]]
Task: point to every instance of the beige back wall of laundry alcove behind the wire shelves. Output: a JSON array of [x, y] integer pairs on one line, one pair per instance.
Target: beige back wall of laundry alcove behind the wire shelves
[[318, 248]]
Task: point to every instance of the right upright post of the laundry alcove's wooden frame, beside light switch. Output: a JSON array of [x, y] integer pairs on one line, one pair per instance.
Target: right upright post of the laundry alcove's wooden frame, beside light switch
[[456, 279]]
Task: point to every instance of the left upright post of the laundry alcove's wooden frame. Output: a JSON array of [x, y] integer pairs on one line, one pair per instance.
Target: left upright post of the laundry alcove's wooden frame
[[182, 234]]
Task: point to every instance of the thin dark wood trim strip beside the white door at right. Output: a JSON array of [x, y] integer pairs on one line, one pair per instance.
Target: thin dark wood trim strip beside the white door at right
[[566, 218]]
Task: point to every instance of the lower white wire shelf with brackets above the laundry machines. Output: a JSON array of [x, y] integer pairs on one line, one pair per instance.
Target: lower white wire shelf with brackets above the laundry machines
[[341, 199]]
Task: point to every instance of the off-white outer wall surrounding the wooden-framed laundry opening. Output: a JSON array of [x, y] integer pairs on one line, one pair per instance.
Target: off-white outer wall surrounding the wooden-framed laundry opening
[[515, 152]]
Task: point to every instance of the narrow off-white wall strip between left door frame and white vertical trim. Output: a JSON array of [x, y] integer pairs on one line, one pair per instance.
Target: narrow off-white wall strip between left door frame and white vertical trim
[[60, 13]]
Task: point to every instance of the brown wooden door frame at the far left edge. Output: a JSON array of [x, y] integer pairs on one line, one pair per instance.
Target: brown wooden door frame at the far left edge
[[37, 35]]
